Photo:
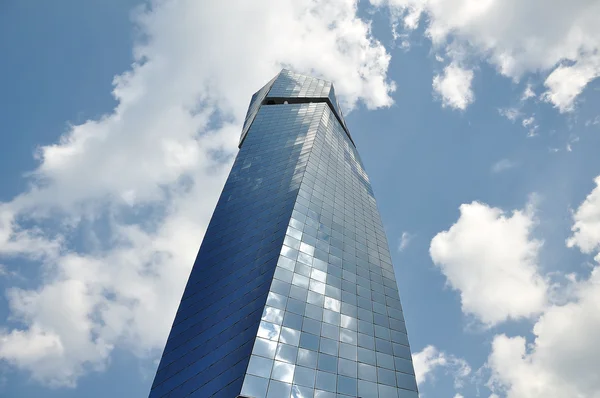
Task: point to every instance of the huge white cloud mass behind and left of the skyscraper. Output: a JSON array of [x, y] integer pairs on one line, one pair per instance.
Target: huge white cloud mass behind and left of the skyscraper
[[150, 171]]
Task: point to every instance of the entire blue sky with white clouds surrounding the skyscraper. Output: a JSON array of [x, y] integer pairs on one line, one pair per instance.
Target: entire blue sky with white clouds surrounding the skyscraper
[[477, 123]]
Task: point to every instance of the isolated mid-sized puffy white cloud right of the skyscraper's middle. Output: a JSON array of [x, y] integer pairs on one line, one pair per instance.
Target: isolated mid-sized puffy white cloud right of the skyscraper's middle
[[491, 259]]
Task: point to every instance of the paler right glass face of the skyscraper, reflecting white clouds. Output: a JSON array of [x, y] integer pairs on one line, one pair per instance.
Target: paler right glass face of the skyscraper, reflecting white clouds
[[333, 324]]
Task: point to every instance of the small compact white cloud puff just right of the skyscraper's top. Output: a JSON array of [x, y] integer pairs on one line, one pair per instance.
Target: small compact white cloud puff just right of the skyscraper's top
[[454, 87]]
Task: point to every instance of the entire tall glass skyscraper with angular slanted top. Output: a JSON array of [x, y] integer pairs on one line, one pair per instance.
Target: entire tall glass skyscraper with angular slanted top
[[293, 291]]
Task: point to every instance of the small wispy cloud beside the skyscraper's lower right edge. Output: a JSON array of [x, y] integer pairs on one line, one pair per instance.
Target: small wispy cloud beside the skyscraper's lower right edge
[[430, 360]]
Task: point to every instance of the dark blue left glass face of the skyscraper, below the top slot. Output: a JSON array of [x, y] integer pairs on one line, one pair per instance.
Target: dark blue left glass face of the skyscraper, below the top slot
[[209, 347]]
